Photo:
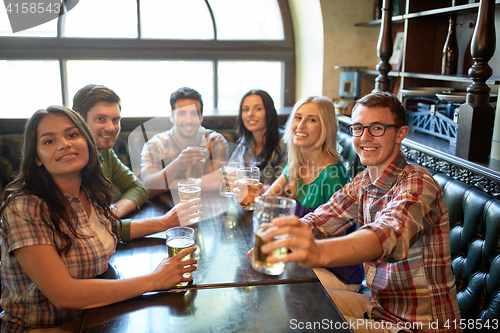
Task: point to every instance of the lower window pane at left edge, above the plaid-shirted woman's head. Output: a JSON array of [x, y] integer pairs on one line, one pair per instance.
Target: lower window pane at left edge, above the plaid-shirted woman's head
[[26, 86]]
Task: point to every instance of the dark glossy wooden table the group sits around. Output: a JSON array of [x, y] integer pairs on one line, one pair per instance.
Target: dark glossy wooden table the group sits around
[[226, 295]]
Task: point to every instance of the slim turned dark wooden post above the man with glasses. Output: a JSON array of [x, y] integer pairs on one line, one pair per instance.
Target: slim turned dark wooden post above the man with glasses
[[384, 48]]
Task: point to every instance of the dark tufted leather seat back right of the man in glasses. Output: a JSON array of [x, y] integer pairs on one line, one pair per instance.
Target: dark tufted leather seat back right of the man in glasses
[[475, 248]]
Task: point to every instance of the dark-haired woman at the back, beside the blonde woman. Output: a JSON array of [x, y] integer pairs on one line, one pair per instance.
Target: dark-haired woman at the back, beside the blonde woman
[[260, 138]]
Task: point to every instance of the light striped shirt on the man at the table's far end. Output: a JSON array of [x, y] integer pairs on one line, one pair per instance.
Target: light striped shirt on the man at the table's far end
[[163, 148]]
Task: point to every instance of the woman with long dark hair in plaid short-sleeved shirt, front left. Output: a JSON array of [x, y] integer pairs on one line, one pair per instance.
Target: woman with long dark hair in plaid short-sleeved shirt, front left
[[59, 232]]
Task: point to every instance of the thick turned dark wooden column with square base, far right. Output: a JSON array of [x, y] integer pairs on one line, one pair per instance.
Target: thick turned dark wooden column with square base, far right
[[476, 116]]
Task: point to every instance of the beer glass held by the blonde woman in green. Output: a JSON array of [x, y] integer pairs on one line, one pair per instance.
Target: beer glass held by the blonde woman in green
[[248, 186]]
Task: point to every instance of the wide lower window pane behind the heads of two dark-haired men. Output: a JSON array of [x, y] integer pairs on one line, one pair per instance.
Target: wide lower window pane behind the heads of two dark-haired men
[[143, 86]]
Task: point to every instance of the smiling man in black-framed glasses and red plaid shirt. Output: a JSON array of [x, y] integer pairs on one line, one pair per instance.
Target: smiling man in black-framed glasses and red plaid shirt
[[403, 240]]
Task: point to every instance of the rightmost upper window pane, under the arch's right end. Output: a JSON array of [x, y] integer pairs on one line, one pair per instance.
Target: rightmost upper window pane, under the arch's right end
[[247, 20]]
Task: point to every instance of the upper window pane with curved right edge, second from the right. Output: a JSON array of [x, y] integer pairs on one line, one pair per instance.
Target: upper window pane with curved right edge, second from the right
[[174, 19]]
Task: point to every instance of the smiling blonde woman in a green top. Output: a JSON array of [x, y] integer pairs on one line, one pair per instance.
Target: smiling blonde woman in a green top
[[314, 173]]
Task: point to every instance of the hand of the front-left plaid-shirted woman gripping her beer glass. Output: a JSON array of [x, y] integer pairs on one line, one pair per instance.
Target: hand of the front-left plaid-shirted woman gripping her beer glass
[[170, 270]]
